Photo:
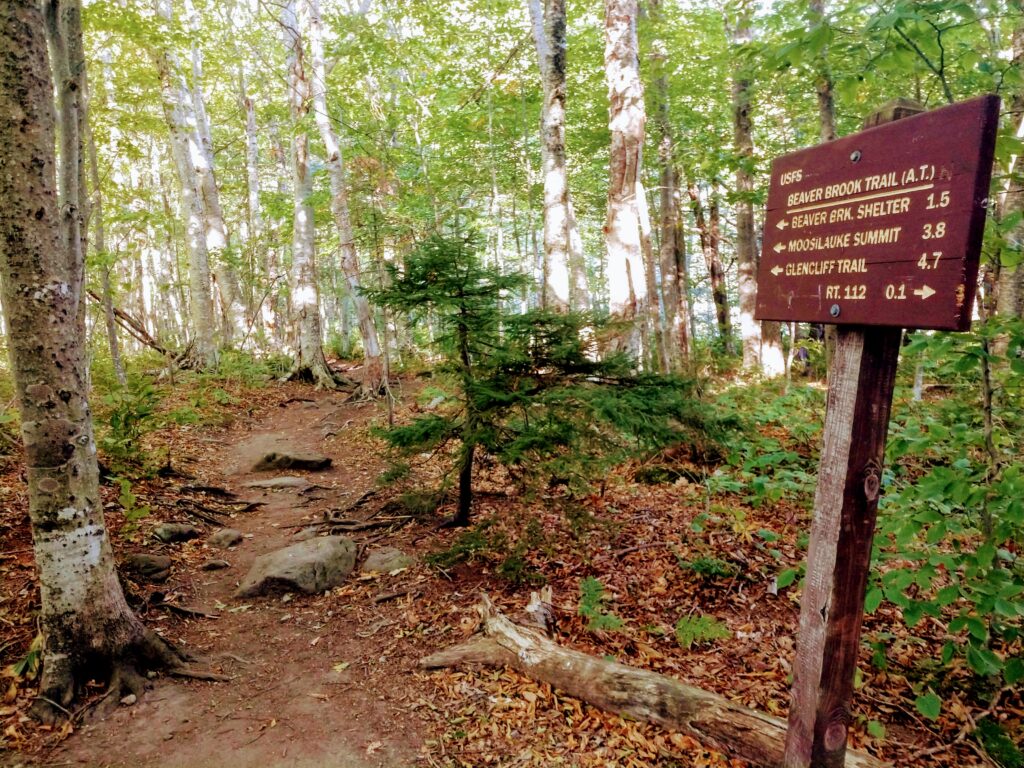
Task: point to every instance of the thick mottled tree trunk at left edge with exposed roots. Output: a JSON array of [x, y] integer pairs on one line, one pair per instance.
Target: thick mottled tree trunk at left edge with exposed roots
[[90, 630]]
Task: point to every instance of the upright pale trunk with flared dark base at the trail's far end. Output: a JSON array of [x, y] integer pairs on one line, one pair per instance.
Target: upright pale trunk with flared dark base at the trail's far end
[[310, 361]]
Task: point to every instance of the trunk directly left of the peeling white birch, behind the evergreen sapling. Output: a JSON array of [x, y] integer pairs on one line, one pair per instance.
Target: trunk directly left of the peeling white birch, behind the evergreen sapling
[[566, 275]]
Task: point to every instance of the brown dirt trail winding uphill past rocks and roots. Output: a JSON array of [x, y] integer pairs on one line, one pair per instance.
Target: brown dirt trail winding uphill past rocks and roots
[[316, 681]]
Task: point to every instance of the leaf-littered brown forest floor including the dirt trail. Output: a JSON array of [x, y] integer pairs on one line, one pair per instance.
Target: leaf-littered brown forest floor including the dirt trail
[[333, 680]]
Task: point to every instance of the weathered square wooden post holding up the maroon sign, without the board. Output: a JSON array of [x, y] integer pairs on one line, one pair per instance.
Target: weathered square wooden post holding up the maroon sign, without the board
[[862, 381]]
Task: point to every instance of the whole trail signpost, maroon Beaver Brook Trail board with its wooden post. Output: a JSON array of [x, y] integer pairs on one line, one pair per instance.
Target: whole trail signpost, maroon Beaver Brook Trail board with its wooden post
[[876, 232]]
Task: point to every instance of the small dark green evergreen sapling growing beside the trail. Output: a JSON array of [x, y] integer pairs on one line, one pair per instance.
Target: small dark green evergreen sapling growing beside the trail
[[529, 389]]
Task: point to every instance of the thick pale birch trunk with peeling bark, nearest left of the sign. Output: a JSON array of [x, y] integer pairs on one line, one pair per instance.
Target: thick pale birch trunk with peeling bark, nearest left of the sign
[[626, 274]]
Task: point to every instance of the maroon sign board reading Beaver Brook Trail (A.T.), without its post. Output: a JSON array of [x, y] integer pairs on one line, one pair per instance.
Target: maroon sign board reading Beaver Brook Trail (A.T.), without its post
[[882, 228]]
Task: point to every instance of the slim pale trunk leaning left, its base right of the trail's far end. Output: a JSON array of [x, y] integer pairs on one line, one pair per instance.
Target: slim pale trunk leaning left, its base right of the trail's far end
[[375, 368]]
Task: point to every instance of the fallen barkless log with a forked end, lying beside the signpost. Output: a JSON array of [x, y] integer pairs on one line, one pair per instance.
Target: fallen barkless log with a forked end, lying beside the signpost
[[637, 694]]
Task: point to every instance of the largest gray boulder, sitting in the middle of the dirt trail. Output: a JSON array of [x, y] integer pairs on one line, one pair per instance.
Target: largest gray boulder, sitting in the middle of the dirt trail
[[312, 567]]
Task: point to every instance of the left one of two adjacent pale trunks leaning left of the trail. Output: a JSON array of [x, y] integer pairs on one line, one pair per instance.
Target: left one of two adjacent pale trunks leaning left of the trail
[[185, 149]]
